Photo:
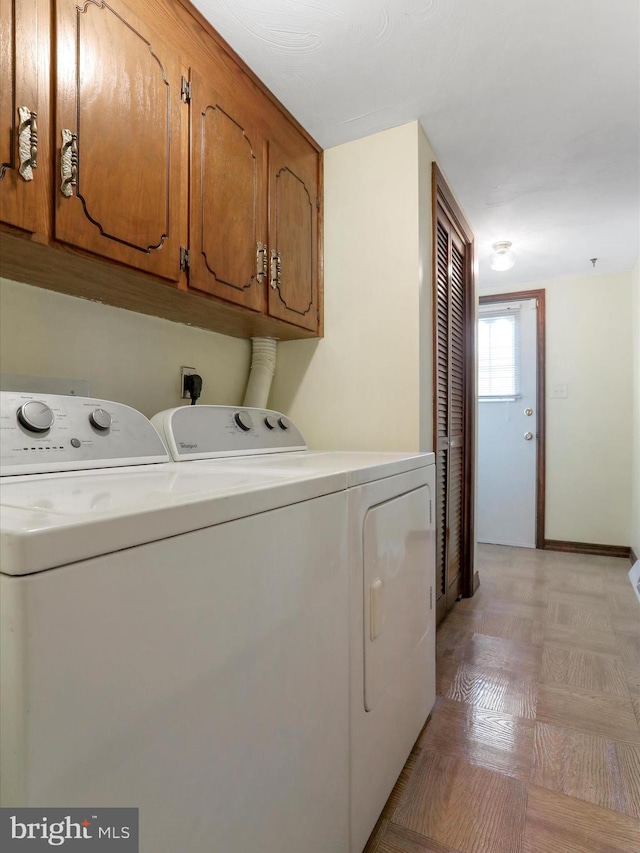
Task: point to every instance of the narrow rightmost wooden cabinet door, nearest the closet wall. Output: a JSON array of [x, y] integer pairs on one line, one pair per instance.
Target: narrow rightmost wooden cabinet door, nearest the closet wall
[[293, 235]]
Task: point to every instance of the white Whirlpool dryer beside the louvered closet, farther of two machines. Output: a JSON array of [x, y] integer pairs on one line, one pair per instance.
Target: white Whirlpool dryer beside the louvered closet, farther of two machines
[[391, 579]]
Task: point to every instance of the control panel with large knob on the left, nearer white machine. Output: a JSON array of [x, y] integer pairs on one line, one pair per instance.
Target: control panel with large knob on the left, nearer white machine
[[44, 433]]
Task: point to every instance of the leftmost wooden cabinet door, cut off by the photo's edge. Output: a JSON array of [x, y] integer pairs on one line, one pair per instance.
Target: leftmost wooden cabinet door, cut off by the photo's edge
[[24, 167]]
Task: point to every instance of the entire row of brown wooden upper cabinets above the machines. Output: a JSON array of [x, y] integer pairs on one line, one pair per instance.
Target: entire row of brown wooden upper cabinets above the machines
[[105, 148]]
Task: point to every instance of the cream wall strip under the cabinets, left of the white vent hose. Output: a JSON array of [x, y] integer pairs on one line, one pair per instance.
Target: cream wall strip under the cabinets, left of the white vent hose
[[132, 358]]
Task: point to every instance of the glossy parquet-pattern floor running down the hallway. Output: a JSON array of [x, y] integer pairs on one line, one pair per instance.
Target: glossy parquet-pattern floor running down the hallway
[[533, 745]]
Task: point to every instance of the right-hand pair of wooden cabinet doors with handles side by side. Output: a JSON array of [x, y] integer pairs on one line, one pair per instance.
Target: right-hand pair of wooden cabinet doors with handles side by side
[[254, 207]]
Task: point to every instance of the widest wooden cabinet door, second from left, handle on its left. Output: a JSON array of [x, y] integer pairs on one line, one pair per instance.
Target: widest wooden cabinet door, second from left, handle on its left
[[118, 137]]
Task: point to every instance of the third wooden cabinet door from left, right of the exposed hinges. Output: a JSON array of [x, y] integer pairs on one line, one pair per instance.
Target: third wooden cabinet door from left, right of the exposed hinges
[[228, 256]]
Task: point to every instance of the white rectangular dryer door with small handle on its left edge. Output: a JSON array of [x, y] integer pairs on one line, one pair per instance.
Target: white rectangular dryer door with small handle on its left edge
[[396, 588]]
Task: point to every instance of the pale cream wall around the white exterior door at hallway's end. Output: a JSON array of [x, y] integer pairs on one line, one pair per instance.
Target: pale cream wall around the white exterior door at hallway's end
[[589, 434]]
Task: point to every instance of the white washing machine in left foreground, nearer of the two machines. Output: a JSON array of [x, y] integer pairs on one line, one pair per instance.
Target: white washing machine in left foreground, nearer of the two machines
[[173, 638]]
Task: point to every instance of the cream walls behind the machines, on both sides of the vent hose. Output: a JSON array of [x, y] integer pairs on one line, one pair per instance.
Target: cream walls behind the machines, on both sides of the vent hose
[[367, 384]]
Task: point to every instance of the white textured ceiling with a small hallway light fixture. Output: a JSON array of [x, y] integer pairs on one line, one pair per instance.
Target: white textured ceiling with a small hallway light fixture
[[532, 108]]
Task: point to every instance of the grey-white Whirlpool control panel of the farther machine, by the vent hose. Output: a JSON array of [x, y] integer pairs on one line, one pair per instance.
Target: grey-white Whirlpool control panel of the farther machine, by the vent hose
[[207, 432]]
